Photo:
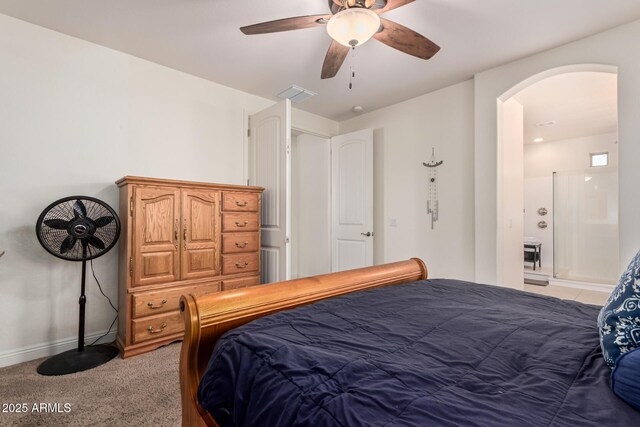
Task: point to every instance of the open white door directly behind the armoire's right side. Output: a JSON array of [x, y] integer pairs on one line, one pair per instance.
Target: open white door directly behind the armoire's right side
[[270, 167]]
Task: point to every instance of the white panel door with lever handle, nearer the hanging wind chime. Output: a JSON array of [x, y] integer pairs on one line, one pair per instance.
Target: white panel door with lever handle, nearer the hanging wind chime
[[352, 200]]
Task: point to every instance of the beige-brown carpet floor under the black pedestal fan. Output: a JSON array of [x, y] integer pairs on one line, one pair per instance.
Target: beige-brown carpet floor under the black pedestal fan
[[139, 391]]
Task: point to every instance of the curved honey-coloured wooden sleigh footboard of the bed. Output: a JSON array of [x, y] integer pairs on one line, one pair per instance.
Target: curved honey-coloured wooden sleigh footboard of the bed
[[209, 316]]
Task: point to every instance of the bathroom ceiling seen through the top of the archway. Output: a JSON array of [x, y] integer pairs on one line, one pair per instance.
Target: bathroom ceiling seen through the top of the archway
[[580, 104]]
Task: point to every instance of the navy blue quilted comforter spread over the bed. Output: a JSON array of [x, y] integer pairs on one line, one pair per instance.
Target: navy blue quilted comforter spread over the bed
[[430, 353]]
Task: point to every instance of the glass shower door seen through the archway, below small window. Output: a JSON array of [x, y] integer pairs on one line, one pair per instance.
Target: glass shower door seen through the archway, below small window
[[585, 230]]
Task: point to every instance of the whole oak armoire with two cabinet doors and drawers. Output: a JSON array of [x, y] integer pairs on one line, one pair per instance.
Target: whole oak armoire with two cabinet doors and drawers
[[178, 238]]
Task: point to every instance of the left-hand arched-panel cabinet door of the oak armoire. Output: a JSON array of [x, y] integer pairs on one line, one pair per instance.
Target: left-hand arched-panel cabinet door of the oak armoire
[[156, 256]]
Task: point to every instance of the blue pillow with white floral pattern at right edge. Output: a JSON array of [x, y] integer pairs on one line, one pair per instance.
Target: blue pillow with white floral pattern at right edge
[[619, 319]]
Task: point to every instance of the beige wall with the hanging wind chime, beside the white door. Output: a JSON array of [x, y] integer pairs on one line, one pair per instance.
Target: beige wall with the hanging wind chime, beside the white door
[[403, 137]]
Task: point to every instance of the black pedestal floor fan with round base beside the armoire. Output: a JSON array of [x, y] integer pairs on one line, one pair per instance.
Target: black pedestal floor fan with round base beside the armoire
[[78, 228]]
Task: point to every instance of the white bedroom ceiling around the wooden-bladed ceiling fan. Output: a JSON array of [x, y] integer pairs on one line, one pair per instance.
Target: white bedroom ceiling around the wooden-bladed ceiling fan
[[202, 37]]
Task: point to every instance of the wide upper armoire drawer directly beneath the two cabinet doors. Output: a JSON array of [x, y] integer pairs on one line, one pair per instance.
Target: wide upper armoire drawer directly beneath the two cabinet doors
[[162, 301]]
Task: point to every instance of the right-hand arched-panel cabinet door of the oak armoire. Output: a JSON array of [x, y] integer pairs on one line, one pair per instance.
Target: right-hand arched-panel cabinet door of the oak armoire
[[200, 231]]
